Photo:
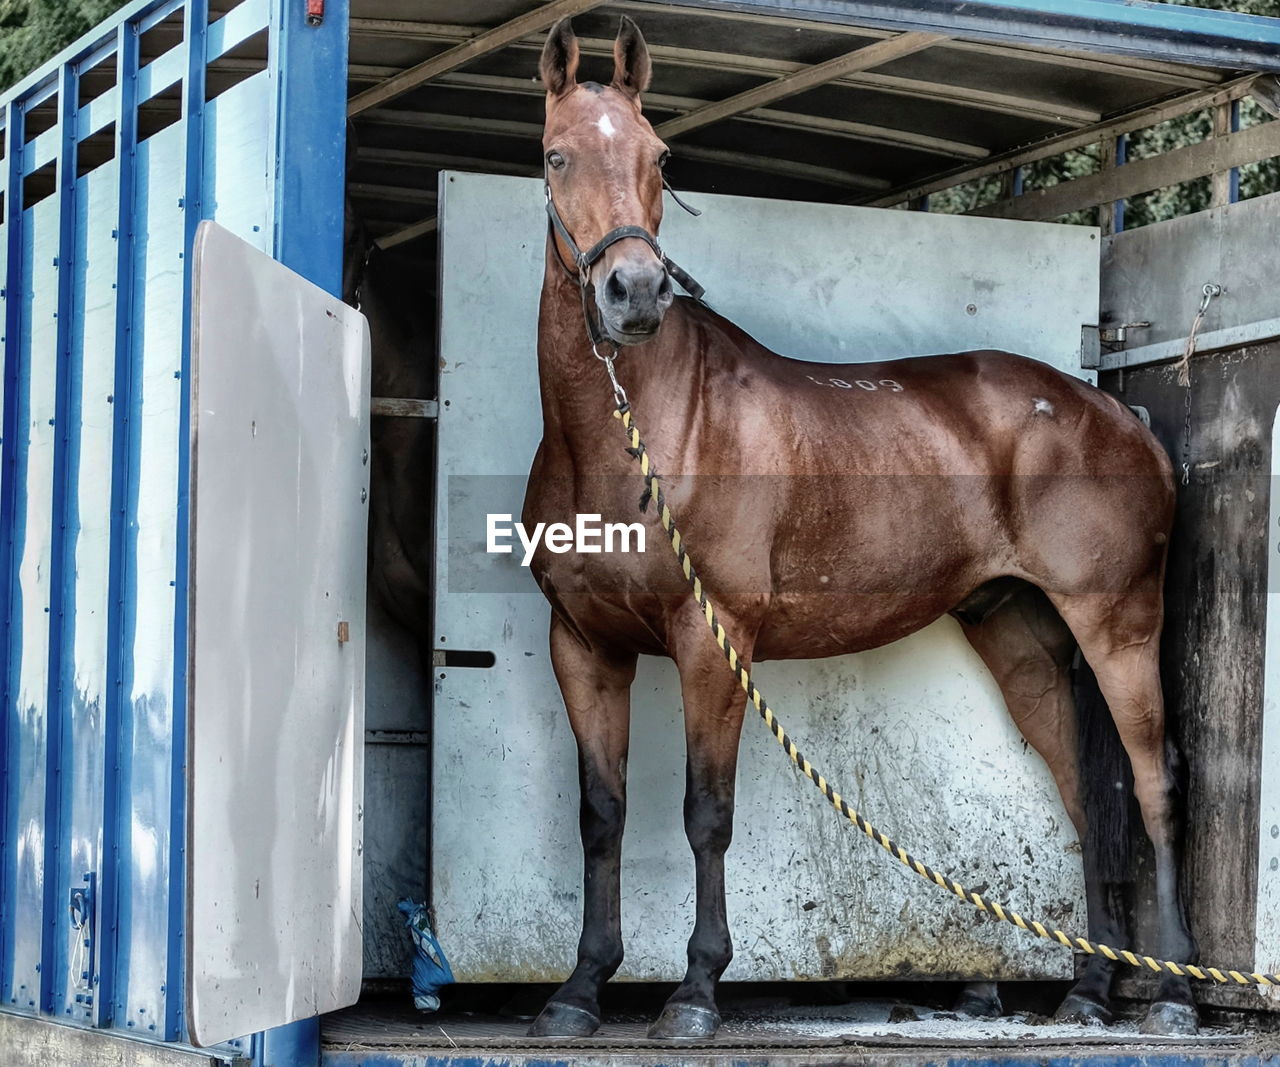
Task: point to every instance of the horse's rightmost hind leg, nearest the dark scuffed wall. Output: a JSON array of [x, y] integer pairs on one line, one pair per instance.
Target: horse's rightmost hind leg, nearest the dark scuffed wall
[[1119, 635]]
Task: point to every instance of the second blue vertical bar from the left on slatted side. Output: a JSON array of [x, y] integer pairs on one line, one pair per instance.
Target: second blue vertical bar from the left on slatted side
[[62, 593]]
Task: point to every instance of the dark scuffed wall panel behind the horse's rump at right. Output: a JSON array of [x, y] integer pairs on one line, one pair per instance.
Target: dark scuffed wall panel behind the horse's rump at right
[[1215, 648]]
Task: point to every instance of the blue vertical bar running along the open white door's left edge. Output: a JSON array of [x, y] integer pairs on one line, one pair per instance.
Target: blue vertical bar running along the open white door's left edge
[[195, 33]]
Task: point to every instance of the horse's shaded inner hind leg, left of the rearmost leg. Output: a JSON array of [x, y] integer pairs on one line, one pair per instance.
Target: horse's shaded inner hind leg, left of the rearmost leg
[[1028, 649]]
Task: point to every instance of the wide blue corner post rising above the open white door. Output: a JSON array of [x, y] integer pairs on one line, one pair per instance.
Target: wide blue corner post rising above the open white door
[[309, 66]]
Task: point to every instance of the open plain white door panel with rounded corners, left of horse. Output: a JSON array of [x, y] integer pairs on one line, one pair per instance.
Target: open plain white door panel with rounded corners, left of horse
[[280, 483]]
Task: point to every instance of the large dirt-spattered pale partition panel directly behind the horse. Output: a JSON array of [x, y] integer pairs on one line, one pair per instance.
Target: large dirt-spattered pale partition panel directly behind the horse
[[915, 734]]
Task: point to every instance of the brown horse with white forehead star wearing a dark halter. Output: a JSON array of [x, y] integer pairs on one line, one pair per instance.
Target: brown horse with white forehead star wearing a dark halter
[[1028, 505]]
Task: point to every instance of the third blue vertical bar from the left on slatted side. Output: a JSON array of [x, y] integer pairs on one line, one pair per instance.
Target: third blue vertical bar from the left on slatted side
[[124, 451]]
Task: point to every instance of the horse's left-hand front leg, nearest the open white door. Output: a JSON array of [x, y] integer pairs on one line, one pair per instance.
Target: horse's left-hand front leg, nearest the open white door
[[597, 690]]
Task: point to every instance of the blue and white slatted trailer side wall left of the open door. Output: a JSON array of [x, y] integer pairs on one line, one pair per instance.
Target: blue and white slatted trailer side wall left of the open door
[[113, 154]]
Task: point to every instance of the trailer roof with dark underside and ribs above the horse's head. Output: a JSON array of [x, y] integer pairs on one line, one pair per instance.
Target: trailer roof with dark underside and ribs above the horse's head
[[1012, 74]]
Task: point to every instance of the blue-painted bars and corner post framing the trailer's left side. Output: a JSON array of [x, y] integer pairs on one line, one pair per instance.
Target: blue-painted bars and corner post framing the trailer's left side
[[304, 97]]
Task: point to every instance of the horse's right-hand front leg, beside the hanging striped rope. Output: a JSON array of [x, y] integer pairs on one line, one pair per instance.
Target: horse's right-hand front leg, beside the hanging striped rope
[[714, 722]]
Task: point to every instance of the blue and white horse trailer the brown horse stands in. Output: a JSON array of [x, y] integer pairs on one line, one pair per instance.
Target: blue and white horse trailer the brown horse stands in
[[263, 680]]
